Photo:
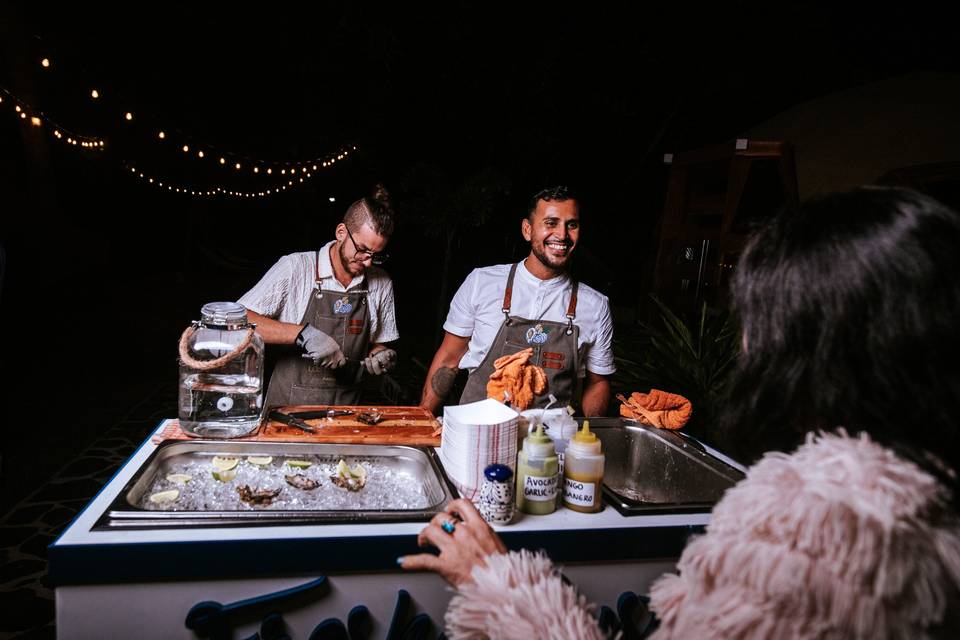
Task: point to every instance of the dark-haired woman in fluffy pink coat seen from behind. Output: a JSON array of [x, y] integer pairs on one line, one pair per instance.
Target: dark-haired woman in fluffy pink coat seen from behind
[[849, 309]]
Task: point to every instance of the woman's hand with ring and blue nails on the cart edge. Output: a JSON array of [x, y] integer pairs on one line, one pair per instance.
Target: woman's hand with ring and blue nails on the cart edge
[[462, 547]]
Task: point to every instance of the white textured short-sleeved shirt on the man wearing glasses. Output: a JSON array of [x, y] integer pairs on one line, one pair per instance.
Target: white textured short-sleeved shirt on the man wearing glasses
[[284, 292]]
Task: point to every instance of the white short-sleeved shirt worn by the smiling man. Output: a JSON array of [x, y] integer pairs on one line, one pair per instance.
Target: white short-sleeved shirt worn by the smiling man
[[476, 312]]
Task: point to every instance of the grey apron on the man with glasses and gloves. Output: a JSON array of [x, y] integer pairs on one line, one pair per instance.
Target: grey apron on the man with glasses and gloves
[[344, 317]]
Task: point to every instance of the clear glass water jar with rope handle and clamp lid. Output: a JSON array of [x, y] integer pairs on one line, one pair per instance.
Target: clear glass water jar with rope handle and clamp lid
[[221, 374]]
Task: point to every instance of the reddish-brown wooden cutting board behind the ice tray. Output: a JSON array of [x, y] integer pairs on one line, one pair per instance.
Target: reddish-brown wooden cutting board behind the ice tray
[[413, 426]]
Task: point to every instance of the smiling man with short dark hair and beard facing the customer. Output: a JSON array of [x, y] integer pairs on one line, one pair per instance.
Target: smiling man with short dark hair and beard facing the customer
[[507, 308]]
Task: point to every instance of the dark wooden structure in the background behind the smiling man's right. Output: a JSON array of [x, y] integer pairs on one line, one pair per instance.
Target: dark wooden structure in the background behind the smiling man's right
[[715, 197]]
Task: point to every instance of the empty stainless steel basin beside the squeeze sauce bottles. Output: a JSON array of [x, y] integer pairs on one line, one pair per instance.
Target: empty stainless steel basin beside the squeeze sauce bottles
[[656, 470]]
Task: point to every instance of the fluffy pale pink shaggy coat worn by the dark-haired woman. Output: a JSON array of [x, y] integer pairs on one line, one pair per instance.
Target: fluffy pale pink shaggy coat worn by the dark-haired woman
[[840, 539]]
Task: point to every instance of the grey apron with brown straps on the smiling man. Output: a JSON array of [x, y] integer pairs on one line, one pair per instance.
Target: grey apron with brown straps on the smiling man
[[554, 348]]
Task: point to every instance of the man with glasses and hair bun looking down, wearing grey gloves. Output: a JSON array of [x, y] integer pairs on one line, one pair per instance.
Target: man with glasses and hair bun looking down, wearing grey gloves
[[333, 308]]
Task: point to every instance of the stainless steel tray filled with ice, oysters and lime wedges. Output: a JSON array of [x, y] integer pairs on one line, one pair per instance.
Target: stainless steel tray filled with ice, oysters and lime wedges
[[403, 484]]
